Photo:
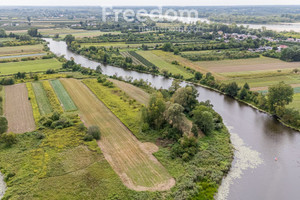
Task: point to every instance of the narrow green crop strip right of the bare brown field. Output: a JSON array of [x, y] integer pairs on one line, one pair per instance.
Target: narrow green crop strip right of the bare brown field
[[41, 98]]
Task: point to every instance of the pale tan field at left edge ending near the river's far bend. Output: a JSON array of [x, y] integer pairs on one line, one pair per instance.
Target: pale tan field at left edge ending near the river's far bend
[[19, 50]]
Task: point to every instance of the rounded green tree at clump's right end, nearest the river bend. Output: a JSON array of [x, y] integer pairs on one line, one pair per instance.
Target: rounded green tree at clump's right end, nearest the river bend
[[203, 119]]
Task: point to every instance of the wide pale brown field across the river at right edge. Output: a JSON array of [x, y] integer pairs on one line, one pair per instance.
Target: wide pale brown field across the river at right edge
[[247, 65]]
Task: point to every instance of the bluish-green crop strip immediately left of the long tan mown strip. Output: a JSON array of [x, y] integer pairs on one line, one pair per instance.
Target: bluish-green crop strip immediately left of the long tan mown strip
[[63, 96]]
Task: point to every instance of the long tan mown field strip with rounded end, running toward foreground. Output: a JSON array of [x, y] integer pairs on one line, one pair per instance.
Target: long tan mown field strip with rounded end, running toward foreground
[[131, 160]]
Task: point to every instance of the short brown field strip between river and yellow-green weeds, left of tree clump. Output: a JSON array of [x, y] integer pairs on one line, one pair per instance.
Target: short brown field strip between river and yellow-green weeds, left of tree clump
[[134, 92]]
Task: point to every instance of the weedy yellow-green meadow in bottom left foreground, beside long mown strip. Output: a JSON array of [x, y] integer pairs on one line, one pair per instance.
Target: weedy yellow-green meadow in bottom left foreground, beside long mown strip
[[60, 166]]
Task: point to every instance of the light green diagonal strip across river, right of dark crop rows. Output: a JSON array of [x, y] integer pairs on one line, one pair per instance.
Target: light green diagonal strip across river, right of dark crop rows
[[163, 64]]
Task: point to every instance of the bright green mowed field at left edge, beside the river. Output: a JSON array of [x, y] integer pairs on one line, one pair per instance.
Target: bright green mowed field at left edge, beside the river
[[29, 66]]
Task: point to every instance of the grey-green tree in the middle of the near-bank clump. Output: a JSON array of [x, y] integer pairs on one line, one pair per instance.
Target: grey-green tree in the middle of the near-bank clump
[[174, 115]]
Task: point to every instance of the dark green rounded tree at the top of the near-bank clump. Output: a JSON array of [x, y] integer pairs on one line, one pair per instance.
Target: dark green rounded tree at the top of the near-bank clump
[[186, 97]]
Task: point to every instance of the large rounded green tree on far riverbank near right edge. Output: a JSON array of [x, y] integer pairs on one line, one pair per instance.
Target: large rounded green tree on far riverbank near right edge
[[280, 94]]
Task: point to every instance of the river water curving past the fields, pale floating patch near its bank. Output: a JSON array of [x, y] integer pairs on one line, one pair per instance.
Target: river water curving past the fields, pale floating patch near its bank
[[257, 138]]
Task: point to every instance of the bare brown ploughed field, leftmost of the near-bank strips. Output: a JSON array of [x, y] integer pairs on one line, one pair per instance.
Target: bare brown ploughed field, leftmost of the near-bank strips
[[18, 110]]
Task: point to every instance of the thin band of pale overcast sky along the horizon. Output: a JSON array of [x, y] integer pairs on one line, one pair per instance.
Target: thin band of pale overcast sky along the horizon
[[147, 2]]
